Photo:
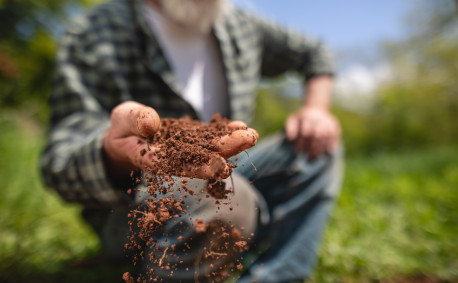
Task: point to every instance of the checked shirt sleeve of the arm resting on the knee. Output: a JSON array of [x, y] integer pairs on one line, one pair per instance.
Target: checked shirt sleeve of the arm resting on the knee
[[287, 50]]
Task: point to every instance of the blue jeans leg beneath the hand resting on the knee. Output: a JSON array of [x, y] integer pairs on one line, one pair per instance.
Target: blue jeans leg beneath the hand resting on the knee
[[299, 195]]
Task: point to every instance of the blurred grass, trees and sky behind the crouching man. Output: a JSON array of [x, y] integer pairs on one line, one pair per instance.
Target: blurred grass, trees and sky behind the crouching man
[[397, 99]]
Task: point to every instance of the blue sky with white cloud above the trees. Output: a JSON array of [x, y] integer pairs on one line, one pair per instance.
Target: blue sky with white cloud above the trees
[[352, 29]]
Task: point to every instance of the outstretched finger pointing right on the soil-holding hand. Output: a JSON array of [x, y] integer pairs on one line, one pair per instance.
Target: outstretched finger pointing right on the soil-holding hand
[[236, 142]]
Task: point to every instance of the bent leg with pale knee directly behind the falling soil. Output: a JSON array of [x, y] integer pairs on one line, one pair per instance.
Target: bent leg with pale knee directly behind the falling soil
[[205, 242]]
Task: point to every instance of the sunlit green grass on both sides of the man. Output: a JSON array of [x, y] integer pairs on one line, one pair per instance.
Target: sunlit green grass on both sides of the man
[[397, 216]]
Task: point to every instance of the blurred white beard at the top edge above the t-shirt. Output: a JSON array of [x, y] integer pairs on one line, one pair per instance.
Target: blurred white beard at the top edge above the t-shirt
[[199, 15]]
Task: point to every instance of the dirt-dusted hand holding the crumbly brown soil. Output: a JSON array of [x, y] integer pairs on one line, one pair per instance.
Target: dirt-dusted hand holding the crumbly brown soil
[[132, 123]]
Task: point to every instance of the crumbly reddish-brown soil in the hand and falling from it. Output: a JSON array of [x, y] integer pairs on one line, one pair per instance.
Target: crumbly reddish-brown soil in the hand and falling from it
[[181, 144]]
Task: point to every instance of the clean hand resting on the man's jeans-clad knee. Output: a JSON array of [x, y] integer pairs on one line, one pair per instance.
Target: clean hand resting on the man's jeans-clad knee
[[314, 130]]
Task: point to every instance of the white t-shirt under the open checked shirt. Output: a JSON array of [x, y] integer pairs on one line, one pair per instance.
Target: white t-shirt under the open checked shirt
[[195, 60]]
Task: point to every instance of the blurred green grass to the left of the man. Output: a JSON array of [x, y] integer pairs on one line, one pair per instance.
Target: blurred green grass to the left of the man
[[38, 232]]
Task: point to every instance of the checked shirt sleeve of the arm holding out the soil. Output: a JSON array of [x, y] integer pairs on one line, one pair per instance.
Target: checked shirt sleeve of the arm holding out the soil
[[72, 162]]
